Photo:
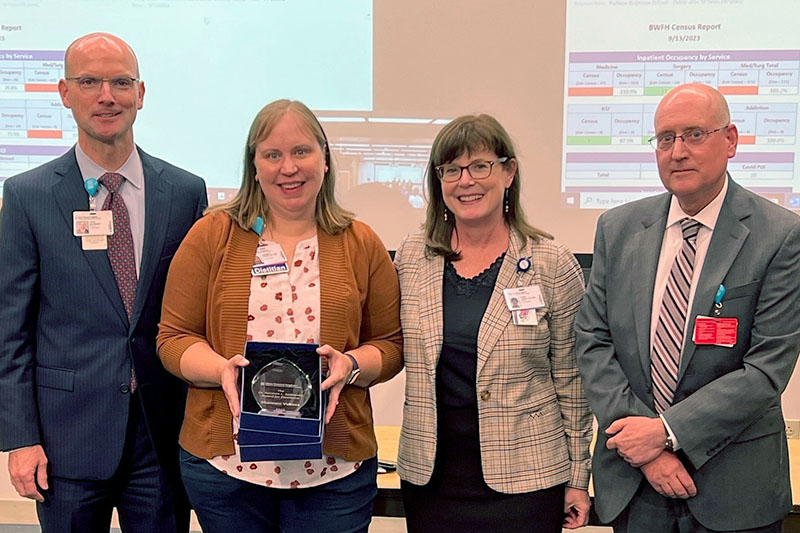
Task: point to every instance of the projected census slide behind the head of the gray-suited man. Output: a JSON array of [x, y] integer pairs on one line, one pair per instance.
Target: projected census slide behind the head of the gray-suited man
[[622, 57]]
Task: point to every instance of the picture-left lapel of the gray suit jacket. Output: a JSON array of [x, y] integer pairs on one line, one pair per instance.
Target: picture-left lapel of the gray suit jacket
[[645, 246]]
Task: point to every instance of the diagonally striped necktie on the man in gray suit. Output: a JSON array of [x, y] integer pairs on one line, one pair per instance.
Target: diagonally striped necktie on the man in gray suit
[[668, 340]]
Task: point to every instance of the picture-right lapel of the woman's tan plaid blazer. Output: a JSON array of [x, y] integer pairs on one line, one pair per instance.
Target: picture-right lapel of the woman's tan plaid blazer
[[497, 316]]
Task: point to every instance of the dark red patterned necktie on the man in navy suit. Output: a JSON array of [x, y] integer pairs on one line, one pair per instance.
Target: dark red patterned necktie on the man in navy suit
[[120, 247]]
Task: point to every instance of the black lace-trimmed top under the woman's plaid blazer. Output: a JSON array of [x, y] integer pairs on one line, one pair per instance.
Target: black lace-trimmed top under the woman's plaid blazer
[[464, 301]]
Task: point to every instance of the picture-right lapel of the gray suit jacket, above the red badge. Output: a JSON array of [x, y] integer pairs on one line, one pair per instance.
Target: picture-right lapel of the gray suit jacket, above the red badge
[[726, 242]]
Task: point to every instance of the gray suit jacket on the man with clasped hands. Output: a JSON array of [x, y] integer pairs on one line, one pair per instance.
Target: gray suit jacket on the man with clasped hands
[[727, 415]]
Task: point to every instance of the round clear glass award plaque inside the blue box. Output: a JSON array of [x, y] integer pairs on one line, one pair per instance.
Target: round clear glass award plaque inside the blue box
[[281, 388]]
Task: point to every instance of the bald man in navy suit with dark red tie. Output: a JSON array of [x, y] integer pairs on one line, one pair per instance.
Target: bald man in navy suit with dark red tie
[[89, 415]]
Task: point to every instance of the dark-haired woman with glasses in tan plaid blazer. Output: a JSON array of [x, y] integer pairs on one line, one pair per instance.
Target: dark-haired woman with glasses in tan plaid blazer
[[496, 427]]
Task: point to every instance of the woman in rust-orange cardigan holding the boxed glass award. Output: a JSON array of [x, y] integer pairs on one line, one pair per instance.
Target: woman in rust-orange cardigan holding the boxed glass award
[[340, 291]]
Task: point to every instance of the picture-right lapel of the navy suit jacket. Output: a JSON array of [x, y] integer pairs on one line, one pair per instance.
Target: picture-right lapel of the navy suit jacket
[[157, 201]]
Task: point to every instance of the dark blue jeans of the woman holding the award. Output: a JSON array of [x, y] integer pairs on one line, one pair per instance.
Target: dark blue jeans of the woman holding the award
[[226, 504]]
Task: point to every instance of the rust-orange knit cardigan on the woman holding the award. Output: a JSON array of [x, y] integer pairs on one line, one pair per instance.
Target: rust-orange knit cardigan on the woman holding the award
[[206, 300]]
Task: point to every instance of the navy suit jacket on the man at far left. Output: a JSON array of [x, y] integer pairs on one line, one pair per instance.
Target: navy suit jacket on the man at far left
[[66, 344]]
